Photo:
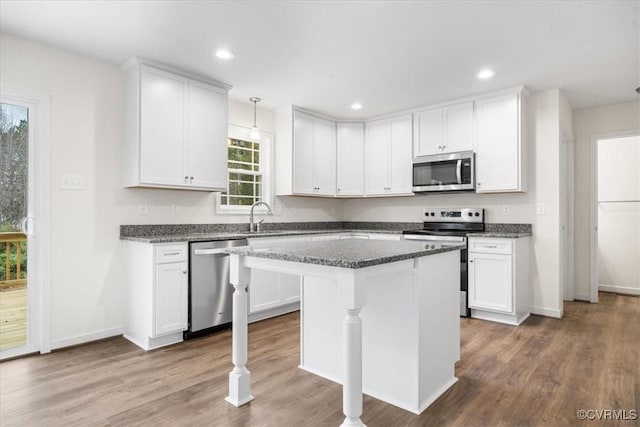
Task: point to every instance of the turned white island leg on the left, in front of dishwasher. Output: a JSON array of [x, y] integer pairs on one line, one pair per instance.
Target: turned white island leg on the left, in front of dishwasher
[[239, 377]]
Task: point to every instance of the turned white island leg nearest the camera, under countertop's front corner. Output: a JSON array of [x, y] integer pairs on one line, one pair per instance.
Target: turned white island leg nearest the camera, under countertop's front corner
[[351, 285]]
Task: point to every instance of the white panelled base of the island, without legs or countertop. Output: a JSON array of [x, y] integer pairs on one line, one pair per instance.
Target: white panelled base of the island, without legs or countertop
[[410, 330]]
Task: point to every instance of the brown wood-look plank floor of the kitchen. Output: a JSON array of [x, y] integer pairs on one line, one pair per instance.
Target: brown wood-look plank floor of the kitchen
[[540, 373]]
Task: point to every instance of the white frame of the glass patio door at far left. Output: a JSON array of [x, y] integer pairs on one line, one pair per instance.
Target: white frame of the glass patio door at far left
[[39, 209]]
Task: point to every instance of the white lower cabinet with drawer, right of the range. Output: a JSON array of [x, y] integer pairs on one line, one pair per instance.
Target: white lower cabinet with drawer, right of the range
[[499, 279]]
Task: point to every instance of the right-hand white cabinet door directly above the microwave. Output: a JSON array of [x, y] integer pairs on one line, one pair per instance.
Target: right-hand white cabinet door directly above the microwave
[[458, 127]]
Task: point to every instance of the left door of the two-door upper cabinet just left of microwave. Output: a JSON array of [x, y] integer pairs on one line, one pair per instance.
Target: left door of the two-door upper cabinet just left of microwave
[[377, 136]]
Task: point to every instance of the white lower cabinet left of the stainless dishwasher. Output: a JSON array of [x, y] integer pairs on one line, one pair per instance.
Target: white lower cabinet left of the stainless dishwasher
[[156, 293]]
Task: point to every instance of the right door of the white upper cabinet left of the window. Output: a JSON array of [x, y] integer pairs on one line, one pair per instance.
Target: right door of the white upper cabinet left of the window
[[207, 137]]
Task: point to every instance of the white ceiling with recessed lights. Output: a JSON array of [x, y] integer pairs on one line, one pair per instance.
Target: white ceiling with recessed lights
[[388, 55]]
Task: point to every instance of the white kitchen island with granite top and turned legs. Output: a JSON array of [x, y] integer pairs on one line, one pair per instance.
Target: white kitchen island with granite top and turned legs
[[376, 316]]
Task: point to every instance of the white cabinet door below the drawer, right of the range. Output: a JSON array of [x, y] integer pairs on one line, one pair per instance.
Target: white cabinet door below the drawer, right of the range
[[491, 282]]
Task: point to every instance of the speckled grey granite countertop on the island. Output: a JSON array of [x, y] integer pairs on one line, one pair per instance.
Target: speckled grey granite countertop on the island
[[347, 253]]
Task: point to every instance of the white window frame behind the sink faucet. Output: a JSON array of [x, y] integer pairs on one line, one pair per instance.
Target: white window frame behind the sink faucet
[[266, 167]]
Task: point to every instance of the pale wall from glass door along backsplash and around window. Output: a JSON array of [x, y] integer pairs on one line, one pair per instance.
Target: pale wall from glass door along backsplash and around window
[[86, 133]]
